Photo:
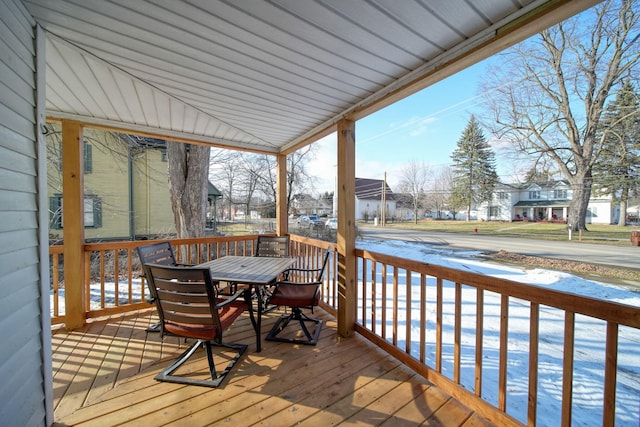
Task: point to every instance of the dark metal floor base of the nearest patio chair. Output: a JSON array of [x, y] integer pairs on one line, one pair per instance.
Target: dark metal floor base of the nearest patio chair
[[216, 380]]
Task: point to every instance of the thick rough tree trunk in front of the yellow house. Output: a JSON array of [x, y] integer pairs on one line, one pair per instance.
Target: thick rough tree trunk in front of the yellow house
[[188, 184]]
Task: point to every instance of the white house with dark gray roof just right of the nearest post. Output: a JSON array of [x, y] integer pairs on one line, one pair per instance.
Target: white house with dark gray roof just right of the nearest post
[[369, 196]]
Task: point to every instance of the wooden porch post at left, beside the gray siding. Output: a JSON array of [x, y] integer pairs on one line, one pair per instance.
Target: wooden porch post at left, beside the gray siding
[[73, 223]]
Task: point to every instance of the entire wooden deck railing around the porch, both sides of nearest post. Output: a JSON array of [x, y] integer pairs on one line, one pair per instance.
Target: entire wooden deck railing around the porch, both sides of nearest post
[[437, 320]]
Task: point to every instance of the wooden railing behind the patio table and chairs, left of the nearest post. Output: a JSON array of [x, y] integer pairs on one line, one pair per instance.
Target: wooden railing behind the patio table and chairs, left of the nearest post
[[113, 282]]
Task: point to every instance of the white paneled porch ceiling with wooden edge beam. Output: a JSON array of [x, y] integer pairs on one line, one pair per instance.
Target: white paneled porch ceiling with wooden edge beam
[[262, 75]]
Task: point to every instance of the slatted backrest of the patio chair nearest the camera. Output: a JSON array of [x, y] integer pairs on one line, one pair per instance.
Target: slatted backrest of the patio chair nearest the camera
[[186, 301]]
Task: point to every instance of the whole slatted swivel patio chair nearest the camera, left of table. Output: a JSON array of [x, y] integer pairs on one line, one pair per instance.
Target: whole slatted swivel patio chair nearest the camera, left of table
[[189, 307]]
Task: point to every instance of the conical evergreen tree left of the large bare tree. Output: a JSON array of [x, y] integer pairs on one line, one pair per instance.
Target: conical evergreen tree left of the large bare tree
[[474, 168]]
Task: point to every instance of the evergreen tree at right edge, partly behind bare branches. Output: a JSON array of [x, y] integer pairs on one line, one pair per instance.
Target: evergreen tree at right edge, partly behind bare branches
[[617, 172]]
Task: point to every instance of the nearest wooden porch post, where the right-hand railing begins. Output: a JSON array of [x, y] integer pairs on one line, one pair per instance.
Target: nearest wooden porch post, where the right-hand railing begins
[[347, 271]]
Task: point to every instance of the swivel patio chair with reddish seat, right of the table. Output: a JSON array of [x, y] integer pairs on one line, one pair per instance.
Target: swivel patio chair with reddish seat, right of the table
[[300, 289]]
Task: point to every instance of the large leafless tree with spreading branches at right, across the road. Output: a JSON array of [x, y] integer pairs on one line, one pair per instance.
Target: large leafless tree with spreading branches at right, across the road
[[558, 83]]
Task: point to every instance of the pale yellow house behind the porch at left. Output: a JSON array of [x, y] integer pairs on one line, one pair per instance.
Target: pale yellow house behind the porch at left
[[126, 188]]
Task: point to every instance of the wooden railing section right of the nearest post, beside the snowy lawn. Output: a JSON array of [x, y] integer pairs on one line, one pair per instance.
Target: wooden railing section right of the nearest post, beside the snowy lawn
[[454, 327]]
